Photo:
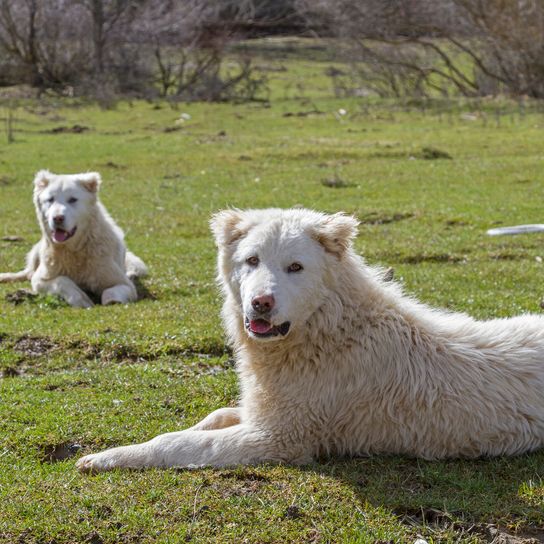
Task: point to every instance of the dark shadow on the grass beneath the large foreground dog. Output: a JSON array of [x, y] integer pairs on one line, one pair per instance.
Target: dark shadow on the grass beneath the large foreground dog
[[486, 498]]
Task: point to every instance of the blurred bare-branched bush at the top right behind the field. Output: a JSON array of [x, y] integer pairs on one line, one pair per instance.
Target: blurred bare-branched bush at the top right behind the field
[[468, 47]]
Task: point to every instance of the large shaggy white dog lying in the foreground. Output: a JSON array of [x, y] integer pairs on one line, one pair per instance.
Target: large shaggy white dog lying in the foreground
[[334, 360]]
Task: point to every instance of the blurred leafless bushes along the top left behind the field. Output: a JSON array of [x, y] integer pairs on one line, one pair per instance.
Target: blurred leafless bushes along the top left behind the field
[[143, 48]]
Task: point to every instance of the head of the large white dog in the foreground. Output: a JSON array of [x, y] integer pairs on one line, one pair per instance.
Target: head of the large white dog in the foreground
[[276, 264]]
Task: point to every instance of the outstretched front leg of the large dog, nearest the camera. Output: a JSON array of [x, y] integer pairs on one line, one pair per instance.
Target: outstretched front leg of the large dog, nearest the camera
[[236, 445]]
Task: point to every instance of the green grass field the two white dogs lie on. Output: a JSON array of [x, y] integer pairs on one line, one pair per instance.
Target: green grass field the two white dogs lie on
[[76, 381]]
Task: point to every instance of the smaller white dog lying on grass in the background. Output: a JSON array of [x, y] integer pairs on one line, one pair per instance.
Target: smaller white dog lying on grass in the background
[[81, 248]]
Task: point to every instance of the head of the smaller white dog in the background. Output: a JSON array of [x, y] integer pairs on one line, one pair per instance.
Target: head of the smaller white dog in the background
[[64, 203]]
